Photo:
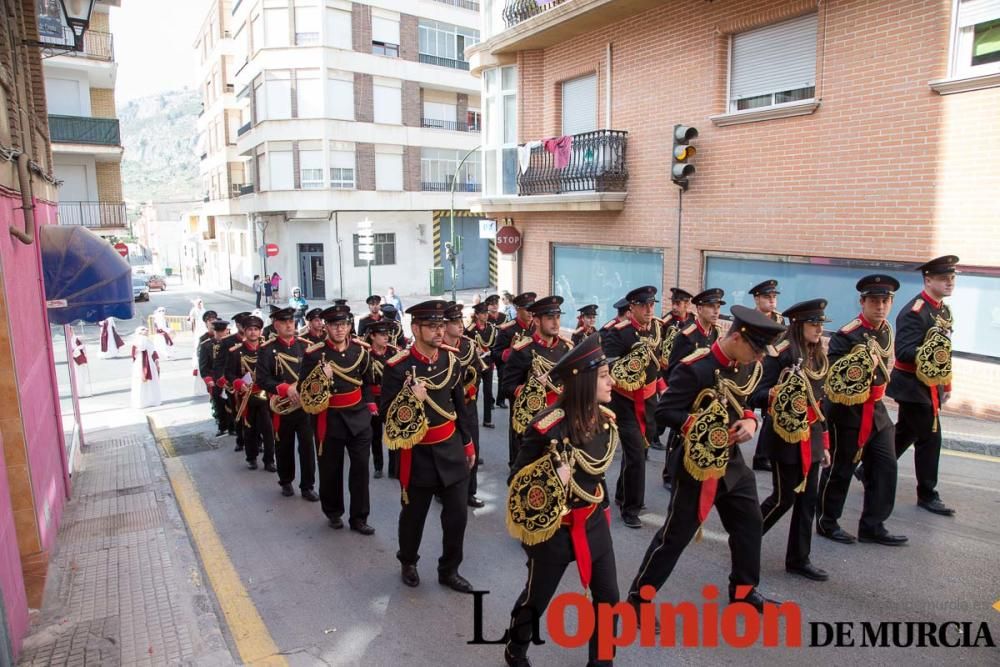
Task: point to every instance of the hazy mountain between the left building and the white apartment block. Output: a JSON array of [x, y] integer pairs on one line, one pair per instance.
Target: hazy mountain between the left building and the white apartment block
[[159, 135]]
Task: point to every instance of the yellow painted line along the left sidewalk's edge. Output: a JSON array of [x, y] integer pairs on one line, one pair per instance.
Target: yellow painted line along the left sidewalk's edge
[[253, 641]]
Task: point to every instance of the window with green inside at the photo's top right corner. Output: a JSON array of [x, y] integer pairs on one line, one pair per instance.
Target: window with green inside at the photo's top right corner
[[976, 48]]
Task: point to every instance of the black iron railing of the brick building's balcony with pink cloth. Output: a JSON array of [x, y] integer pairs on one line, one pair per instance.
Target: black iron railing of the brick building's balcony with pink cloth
[[594, 163]]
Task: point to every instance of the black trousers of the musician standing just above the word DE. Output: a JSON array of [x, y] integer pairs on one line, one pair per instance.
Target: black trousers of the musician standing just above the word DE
[[785, 477]]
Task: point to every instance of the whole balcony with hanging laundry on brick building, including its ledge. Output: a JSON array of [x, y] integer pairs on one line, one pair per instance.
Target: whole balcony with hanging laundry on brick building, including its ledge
[[594, 177]]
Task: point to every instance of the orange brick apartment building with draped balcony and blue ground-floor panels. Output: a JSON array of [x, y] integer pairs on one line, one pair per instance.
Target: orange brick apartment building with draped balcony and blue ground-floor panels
[[835, 139]]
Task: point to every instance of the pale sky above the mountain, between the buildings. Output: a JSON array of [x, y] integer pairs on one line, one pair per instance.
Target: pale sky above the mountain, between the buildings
[[154, 45]]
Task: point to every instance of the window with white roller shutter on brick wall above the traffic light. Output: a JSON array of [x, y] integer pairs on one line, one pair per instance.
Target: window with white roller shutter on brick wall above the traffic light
[[773, 65]]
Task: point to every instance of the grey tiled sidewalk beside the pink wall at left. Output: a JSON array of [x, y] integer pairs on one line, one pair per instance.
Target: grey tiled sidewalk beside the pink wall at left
[[124, 586]]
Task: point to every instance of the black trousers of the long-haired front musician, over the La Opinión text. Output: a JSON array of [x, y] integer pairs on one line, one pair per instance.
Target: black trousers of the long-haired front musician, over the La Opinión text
[[543, 580]]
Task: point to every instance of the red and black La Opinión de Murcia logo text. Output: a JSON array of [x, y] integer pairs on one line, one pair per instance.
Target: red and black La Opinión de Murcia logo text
[[737, 624]]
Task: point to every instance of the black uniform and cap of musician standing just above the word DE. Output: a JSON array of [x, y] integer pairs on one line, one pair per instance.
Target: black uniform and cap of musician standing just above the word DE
[[796, 445]]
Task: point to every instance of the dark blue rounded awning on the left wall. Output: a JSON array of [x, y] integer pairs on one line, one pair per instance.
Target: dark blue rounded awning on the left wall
[[85, 277]]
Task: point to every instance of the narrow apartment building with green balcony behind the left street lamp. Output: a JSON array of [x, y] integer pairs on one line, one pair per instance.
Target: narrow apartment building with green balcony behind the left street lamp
[[86, 140]]
